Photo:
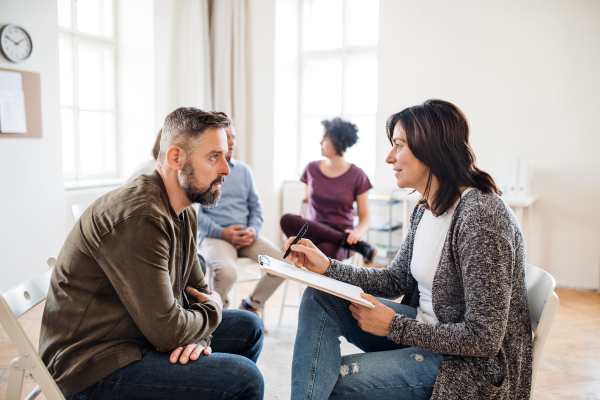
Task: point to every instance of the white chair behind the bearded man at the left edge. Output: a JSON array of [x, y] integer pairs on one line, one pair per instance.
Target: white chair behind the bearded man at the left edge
[[13, 304]]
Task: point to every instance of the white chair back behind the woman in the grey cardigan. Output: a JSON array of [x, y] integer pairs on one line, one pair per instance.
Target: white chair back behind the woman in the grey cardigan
[[543, 305]]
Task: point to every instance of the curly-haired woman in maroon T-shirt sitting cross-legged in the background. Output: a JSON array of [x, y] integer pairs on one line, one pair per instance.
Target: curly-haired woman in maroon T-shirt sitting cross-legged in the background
[[332, 187]]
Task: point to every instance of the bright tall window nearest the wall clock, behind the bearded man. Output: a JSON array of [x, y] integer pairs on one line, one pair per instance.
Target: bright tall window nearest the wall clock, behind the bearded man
[[87, 48]]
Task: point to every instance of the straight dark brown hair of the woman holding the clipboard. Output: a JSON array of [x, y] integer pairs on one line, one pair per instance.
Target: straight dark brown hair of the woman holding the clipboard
[[437, 133]]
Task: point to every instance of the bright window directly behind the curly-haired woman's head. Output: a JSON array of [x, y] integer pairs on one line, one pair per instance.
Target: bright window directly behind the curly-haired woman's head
[[338, 74]]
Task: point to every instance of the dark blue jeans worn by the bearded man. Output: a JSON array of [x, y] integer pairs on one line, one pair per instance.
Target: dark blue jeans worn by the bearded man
[[230, 372]]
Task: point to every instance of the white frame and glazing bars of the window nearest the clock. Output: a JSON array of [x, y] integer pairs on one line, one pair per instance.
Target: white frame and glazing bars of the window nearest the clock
[[76, 38]]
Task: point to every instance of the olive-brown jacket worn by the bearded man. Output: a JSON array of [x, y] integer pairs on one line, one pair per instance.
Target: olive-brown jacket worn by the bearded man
[[117, 286]]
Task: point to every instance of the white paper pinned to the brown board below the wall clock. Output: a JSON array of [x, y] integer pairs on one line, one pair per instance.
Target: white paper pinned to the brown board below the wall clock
[[12, 103]]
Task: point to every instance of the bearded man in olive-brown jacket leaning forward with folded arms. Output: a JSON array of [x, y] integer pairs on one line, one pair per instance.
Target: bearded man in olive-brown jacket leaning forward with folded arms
[[128, 313]]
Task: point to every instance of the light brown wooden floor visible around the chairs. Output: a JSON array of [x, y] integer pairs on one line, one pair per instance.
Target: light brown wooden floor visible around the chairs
[[570, 368]]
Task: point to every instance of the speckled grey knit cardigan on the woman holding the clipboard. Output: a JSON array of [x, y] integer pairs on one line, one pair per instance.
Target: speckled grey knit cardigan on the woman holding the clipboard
[[479, 298]]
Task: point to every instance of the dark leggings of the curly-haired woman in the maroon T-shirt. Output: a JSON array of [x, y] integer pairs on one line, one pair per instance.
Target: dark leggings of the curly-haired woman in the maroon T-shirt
[[327, 239]]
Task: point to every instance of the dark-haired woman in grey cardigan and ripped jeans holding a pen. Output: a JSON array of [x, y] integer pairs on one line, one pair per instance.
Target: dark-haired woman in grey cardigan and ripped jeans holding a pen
[[462, 329]]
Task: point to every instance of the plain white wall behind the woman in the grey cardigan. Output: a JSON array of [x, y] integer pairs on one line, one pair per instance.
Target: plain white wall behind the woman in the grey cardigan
[[526, 74]]
